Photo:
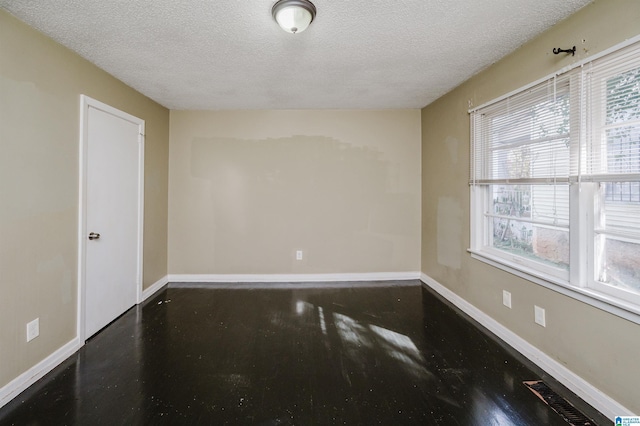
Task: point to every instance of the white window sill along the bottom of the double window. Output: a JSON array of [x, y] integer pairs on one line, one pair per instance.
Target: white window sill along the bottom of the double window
[[593, 298]]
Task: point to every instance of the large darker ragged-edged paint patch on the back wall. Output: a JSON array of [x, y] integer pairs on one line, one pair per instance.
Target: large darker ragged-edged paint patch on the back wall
[[271, 196]]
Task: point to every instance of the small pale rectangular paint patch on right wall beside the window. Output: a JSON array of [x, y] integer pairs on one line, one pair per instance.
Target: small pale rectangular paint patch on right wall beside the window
[[449, 232]]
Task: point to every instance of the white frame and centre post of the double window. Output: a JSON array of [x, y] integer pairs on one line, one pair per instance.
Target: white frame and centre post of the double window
[[580, 282]]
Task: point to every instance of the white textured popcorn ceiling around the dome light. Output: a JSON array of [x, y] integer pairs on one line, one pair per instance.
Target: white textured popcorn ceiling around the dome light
[[230, 54]]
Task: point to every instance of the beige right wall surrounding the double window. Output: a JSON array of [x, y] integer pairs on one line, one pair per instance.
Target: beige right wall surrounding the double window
[[602, 348]]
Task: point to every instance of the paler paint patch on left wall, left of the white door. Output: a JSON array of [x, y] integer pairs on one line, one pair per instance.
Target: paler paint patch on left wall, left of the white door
[[37, 165]]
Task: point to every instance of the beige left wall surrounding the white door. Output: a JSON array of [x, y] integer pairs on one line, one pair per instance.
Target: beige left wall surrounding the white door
[[40, 87]]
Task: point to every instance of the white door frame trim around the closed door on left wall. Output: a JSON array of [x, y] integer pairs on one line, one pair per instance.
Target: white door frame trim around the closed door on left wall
[[85, 103]]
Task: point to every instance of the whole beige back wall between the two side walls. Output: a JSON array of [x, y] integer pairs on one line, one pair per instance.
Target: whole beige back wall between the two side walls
[[249, 188]]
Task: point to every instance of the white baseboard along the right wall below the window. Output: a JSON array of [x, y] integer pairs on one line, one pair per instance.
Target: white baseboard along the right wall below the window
[[589, 393]]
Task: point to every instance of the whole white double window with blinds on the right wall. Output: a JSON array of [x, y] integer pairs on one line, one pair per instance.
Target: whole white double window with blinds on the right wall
[[555, 179]]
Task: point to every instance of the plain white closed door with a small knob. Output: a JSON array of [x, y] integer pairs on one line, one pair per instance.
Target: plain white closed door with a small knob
[[112, 225]]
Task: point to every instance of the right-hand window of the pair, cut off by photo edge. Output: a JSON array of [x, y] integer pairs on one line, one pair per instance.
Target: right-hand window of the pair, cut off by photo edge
[[613, 165]]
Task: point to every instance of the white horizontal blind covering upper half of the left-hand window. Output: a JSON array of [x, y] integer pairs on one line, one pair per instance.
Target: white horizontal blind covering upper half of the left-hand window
[[524, 138]]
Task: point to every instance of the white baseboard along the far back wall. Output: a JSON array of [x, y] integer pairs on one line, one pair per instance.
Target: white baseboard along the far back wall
[[291, 278]]
